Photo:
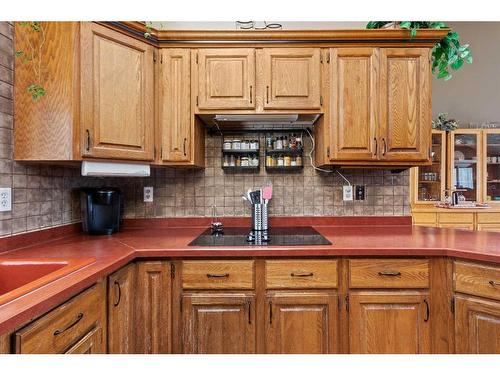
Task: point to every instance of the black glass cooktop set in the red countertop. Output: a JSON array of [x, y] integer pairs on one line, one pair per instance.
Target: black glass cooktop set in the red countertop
[[286, 236]]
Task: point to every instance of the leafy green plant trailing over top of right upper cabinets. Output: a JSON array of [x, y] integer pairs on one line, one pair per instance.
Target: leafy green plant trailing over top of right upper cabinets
[[447, 55]]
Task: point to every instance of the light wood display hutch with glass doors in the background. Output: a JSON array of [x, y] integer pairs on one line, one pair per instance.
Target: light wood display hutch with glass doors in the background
[[467, 160]]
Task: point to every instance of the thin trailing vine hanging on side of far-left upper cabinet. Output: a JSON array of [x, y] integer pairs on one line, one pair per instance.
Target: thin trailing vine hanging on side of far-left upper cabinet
[[34, 57]]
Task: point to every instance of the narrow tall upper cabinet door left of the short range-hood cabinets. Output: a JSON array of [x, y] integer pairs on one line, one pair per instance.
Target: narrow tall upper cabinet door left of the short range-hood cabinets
[[175, 105]]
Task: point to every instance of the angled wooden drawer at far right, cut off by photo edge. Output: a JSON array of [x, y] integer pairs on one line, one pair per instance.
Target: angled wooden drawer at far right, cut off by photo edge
[[478, 280]]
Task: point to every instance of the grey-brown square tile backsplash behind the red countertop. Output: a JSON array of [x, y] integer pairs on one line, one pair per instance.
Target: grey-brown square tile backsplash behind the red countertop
[[46, 195]]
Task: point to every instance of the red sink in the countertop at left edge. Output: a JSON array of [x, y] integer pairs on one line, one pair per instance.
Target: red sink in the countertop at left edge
[[20, 276]]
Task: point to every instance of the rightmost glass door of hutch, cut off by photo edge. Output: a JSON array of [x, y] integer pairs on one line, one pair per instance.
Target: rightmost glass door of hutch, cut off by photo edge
[[492, 160]]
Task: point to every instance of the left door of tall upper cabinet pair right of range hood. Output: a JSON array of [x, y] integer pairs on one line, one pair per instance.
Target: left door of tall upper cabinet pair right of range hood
[[354, 103]]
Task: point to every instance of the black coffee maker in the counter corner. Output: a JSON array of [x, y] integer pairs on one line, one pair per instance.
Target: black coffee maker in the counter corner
[[102, 210]]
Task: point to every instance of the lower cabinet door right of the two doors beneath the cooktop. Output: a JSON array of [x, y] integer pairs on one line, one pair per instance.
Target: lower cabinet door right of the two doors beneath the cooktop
[[389, 323]]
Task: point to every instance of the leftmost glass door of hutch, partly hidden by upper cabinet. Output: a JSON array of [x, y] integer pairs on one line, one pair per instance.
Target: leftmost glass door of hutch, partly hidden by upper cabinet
[[431, 178]]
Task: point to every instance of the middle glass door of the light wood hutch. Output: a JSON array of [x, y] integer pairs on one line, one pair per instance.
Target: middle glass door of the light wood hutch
[[465, 164]]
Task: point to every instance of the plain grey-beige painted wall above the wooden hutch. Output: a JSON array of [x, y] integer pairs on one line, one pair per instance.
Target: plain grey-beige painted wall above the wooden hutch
[[472, 94]]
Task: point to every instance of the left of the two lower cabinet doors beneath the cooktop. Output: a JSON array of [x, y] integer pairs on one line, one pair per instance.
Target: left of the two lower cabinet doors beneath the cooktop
[[219, 323]]
